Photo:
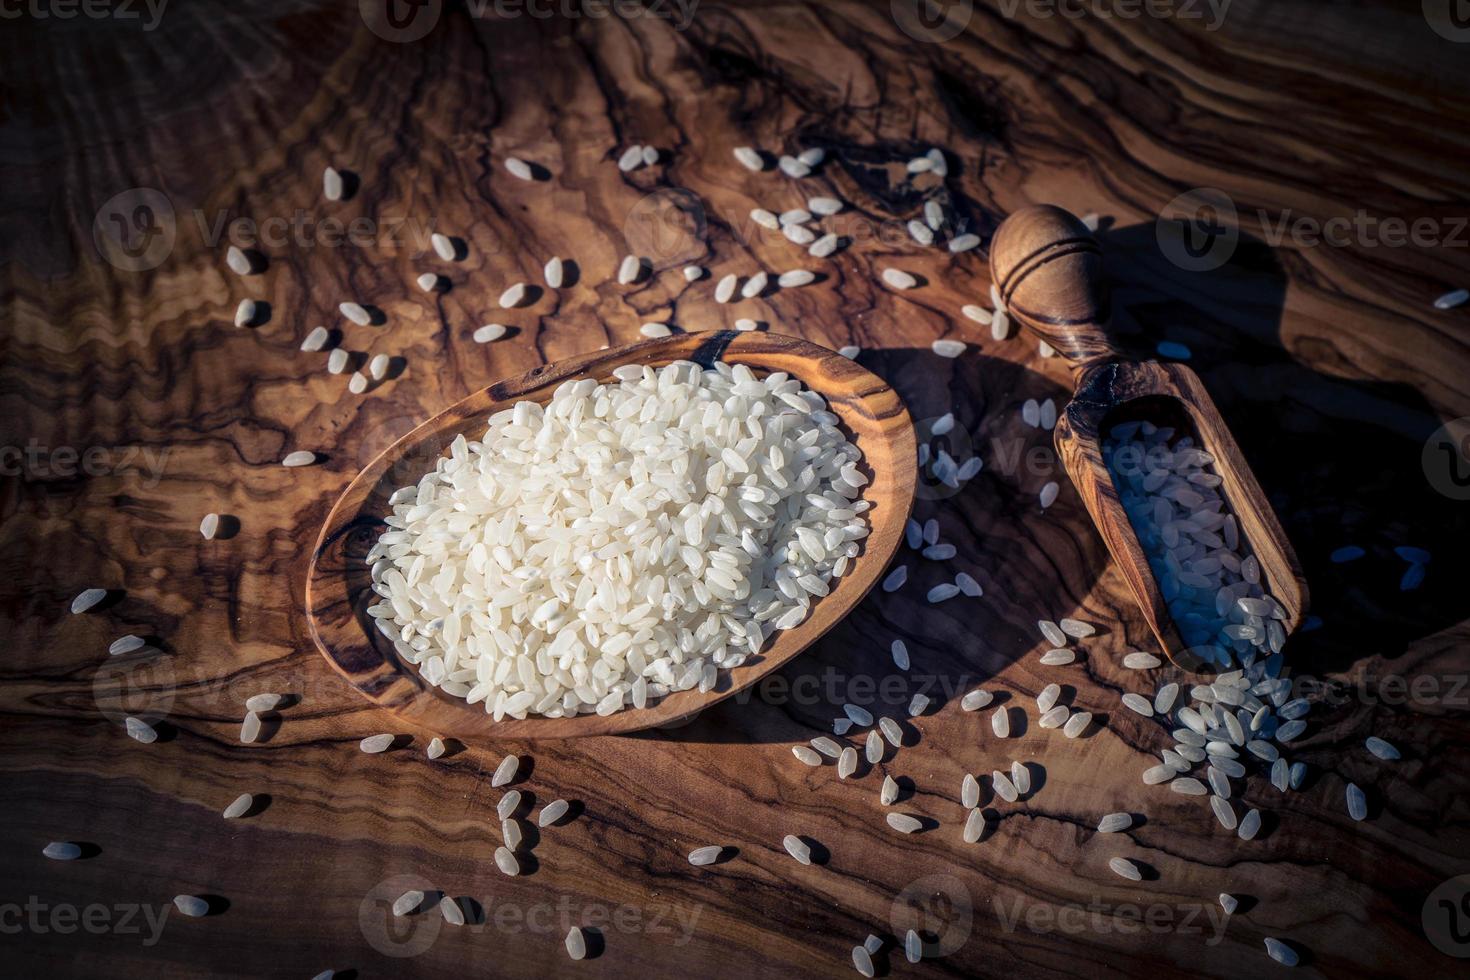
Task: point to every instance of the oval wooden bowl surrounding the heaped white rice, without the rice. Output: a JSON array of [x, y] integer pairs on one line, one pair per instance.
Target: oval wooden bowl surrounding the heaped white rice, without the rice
[[339, 583]]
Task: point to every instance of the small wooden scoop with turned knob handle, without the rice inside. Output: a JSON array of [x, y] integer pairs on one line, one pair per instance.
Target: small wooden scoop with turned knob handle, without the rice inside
[[1049, 271]]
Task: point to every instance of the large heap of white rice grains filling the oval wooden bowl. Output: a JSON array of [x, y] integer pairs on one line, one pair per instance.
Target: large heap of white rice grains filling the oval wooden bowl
[[623, 543]]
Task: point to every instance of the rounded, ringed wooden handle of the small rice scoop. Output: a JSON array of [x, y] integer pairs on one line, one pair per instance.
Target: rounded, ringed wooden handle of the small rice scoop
[[1049, 270]]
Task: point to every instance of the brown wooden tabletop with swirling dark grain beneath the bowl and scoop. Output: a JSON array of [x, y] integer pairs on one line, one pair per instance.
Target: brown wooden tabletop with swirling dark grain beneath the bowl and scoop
[[1327, 361]]
